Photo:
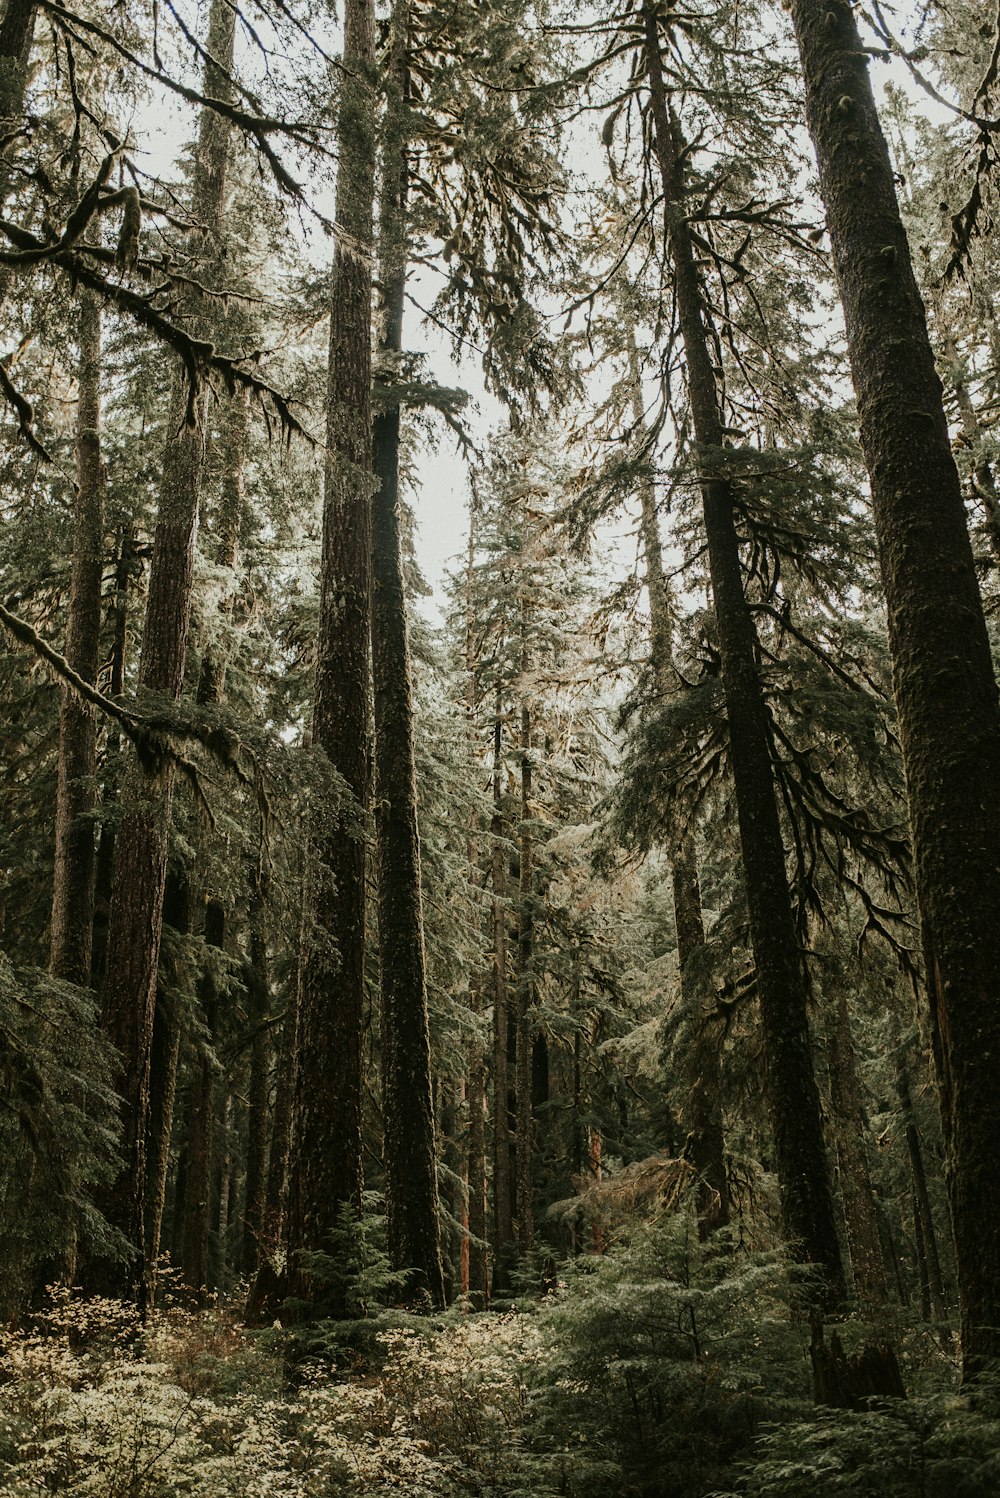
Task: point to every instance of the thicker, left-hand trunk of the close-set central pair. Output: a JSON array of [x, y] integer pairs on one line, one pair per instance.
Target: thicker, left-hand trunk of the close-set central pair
[[326, 1171]]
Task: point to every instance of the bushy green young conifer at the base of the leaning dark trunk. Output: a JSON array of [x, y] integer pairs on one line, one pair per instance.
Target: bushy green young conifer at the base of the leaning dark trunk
[[664, 1358]]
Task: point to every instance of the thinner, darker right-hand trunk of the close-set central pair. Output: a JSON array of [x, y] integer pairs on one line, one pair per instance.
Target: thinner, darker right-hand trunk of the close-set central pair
[[409, 1151]]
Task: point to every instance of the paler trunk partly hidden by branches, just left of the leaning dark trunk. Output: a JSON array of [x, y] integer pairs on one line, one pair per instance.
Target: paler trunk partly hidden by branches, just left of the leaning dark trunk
[[706, 1139]]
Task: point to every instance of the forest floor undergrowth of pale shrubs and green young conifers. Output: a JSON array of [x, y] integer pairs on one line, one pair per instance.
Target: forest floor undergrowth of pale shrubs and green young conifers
[[622, 1382]]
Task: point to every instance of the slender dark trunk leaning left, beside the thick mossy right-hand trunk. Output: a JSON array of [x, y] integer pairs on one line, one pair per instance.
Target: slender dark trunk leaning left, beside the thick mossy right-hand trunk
[[793, 1094]]
